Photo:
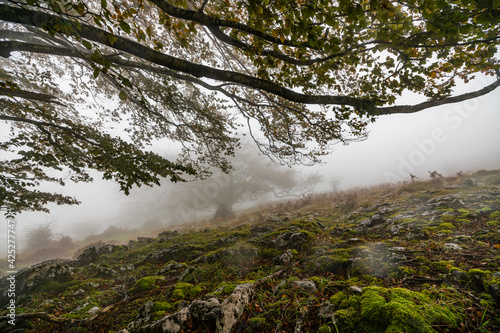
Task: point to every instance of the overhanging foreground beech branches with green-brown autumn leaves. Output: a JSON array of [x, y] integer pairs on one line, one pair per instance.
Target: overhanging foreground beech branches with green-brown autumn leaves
[[299, 75]]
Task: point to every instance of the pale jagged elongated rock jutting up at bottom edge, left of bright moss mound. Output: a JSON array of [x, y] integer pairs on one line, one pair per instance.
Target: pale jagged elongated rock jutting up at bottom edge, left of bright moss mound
[[233, 306]]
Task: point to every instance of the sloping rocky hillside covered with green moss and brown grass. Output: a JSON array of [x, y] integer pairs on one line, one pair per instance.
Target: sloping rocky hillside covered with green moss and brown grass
[[418, 257]]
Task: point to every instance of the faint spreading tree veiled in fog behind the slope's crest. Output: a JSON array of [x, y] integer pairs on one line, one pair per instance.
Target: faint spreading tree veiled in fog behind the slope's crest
[[253, 177]]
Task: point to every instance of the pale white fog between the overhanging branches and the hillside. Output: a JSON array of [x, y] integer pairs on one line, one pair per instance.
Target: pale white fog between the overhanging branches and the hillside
[[451, 138]]
